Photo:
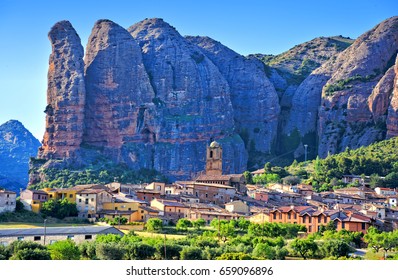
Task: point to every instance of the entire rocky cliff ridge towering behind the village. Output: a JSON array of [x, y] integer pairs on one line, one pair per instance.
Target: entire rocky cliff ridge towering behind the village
[[148, 97]]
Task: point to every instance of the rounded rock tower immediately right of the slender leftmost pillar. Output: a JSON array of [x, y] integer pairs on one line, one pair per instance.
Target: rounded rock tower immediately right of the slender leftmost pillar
[[118, 92]]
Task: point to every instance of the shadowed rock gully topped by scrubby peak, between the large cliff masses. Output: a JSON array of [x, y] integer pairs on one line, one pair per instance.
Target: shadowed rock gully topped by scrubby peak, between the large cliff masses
[[300, 98]]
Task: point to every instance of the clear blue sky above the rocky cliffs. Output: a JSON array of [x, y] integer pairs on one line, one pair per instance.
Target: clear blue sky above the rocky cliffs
[[248, 26]]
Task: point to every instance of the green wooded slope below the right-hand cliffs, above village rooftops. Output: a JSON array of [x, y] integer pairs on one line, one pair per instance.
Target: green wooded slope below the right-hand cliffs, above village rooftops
[[377, 160]]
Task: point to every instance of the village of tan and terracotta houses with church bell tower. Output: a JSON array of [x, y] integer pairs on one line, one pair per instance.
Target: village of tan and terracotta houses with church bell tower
[[213, 195]]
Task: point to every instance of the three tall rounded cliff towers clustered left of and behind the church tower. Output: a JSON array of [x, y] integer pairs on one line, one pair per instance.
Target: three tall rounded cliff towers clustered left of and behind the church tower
[[148, 98]]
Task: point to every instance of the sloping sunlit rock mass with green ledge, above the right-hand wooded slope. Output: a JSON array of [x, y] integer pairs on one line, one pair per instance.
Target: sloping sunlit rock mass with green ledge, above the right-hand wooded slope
[[344, 115]]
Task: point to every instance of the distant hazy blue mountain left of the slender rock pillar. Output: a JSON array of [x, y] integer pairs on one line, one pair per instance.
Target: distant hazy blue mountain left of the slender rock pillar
[[17, 145]]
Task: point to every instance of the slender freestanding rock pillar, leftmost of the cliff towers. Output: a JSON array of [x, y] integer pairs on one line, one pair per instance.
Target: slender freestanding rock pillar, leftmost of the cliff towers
[[65, 94]]
